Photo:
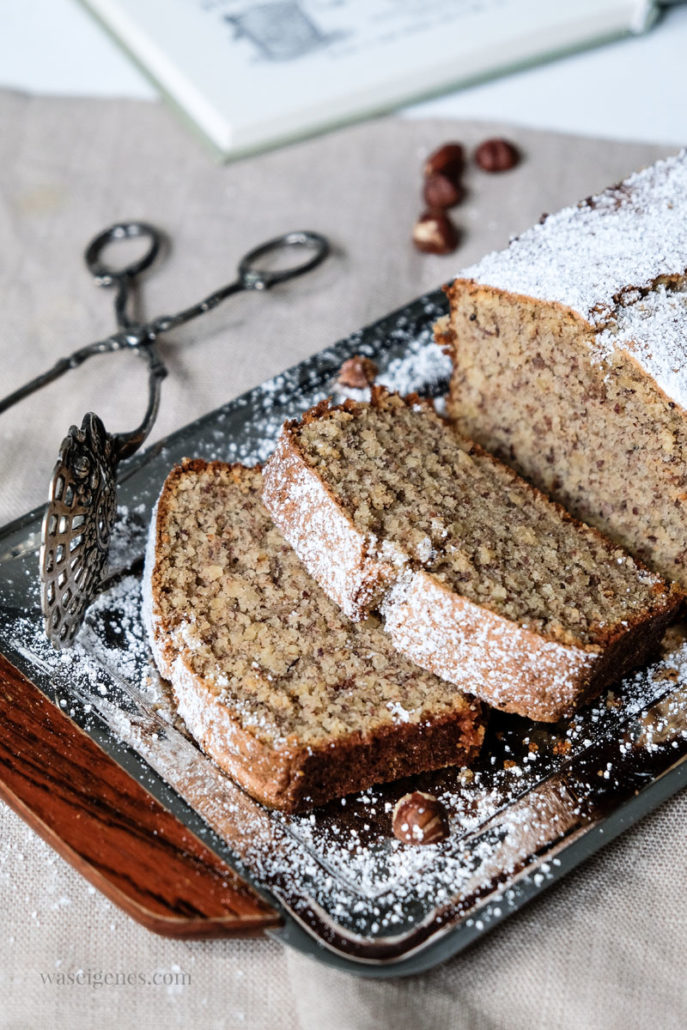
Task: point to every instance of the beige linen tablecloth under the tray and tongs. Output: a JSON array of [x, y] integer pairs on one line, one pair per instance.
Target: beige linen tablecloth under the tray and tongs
[[604, 949]]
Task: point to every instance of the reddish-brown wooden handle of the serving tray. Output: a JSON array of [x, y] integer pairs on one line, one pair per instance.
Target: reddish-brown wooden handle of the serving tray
[[111, 830]]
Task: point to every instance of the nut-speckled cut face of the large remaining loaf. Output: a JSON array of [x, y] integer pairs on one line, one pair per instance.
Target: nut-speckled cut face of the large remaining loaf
[[585, 422]]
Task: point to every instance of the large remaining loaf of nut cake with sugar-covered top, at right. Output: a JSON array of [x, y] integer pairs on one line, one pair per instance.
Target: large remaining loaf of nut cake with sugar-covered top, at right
[[570, 354]]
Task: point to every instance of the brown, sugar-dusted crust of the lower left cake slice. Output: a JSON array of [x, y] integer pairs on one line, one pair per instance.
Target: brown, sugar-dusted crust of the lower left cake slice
[[287, 773]]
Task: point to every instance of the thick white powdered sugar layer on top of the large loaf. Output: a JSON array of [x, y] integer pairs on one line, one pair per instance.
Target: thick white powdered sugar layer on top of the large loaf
[[605, 259]]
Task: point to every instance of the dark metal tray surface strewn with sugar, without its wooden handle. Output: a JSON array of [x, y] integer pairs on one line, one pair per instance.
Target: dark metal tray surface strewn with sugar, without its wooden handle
[[541, 801]]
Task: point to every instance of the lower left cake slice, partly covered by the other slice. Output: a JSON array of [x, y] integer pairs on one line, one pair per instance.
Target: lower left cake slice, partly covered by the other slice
[[295, 702]]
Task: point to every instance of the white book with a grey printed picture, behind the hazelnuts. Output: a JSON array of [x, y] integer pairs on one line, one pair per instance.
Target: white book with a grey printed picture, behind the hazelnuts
[[256, 74]]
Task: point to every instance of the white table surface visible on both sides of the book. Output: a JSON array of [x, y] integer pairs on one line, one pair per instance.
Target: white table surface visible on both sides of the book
[[634, 89]]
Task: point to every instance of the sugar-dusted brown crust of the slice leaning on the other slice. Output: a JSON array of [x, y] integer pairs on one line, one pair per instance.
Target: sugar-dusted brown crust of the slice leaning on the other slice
[[504, 664]]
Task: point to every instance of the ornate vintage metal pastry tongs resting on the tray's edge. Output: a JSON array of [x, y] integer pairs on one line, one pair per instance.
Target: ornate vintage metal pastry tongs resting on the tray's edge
[[82, 509]]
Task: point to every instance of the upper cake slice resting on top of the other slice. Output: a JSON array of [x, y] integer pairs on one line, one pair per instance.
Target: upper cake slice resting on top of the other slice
[[479, 577]]
